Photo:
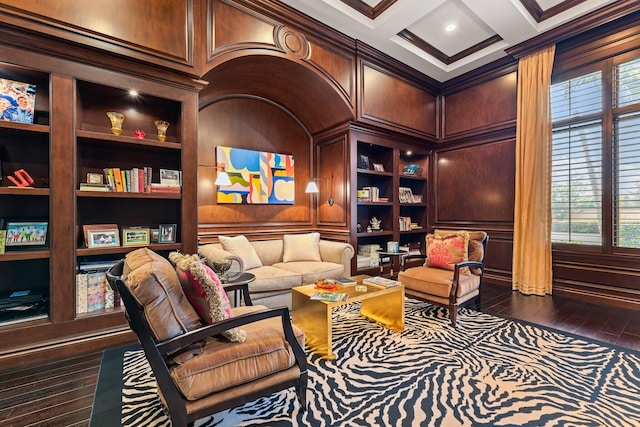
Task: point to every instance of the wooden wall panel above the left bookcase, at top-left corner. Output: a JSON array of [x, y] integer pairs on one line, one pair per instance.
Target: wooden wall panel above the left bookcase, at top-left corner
[[157, 32]]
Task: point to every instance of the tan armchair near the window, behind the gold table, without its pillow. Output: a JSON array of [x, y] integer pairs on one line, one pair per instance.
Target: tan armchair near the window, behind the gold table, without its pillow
[[449, 286]]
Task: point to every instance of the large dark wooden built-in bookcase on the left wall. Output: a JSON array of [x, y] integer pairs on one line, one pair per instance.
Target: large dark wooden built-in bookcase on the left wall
[[71, 137]]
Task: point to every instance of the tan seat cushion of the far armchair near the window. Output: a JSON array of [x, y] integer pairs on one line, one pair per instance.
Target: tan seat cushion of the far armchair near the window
[[436, 281]]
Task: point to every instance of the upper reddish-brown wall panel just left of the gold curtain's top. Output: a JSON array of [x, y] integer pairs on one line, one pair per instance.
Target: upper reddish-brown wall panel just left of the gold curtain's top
[[482, 108]]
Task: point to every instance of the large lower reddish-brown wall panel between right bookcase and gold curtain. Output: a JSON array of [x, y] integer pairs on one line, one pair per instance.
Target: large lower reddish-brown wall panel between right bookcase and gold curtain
[[475, 183]]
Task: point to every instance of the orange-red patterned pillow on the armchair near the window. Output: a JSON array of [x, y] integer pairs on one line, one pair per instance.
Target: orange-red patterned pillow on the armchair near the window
[[445, 251]]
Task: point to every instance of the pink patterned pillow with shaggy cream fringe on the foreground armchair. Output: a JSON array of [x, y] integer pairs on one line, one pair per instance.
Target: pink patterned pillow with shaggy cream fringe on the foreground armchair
[[205, 292]]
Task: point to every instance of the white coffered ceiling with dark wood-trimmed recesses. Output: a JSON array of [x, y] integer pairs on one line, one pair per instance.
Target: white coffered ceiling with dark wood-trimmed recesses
[[445, 38]]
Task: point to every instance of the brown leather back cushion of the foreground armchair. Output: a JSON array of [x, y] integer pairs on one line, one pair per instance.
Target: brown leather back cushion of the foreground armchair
[[154, 284]]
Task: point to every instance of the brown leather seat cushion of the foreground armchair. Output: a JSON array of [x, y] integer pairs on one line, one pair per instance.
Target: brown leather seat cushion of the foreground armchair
[[223, 365]]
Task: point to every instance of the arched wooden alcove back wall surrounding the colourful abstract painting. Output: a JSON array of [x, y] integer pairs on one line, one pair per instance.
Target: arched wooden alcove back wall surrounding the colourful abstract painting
[[255, 124]]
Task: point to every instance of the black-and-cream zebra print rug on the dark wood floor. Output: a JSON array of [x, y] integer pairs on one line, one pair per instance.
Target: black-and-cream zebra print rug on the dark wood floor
[[487, 372]]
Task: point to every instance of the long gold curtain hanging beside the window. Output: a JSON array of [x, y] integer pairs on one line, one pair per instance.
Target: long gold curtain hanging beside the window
[[532, 271]]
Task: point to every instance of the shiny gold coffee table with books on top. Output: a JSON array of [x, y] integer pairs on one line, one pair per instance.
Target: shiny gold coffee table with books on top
[[384, 306]]
